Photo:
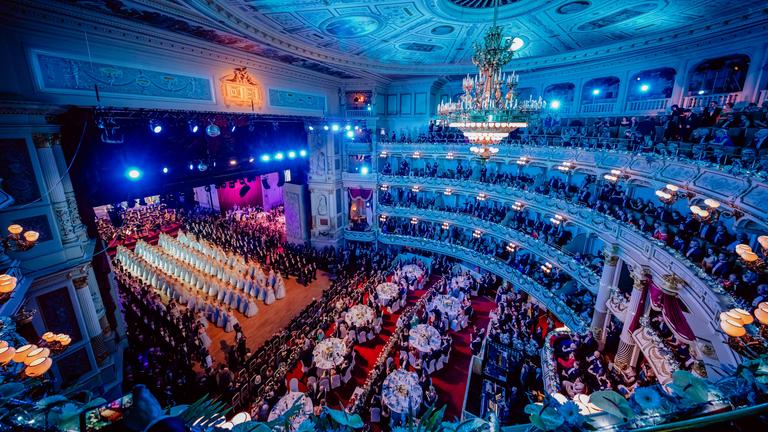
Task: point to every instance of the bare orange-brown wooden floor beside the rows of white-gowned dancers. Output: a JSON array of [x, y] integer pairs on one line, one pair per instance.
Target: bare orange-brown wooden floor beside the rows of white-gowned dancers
[[269, 319]]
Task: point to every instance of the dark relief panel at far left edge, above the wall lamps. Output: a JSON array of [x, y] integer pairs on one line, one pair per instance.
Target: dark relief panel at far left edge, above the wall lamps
[[16, 171]]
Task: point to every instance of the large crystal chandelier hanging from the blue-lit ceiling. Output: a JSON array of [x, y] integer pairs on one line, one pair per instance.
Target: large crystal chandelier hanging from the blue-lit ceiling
[[489, 109]]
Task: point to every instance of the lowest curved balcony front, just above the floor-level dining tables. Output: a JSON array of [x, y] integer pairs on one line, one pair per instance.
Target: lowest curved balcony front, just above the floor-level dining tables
[[552, 302]]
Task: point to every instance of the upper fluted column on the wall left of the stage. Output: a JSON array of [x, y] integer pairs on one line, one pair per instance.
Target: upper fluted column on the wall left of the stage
[[54, 188]]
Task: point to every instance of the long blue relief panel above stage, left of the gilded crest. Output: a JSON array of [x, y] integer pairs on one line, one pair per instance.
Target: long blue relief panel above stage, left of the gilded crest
[[74, 75]]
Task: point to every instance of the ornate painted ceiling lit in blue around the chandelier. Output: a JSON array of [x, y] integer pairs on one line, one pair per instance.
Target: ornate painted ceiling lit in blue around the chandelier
[[349, 38]]
